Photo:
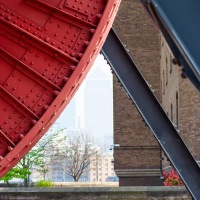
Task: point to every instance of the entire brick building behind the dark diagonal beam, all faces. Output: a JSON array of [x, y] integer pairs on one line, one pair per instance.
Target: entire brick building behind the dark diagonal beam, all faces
[[139, 159]]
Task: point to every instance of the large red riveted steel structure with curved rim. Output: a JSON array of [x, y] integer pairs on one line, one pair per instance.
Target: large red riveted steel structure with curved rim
[[46, 49]]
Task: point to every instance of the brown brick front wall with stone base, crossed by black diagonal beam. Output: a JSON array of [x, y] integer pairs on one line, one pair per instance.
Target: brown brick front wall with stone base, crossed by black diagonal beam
[[139, 154]]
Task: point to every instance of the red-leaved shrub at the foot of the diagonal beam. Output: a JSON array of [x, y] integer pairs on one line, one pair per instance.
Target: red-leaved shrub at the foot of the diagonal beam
[[172, 179]]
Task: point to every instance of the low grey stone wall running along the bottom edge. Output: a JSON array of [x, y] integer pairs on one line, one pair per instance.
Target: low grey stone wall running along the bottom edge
[[114, 193]]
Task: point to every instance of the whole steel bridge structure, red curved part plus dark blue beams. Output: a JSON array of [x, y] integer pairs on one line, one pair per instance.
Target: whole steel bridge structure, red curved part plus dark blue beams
[[47, 48]]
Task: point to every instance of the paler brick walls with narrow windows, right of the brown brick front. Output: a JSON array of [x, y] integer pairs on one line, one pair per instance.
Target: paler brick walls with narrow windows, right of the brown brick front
[[181, 101]]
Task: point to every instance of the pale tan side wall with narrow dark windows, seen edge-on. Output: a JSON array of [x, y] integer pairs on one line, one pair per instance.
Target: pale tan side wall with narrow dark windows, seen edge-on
[[170, 77]]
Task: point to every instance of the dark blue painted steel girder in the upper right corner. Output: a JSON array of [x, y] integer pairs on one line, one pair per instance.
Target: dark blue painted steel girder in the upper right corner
[[179, 20]]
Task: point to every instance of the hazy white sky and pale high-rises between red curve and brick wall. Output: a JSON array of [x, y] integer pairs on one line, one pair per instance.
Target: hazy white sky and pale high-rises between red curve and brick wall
[[91, 109]]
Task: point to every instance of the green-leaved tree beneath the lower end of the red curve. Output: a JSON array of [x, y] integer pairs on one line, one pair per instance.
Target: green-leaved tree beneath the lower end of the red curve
[[37, 159]]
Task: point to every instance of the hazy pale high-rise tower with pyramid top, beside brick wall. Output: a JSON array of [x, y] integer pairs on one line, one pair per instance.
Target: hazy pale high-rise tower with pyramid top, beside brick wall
[[98, 99]]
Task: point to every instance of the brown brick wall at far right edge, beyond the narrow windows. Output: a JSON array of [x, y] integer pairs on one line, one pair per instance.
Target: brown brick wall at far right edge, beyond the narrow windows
[[189, 114]]
